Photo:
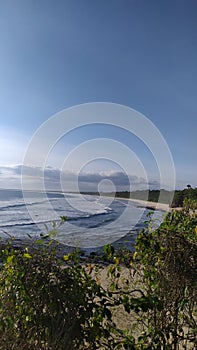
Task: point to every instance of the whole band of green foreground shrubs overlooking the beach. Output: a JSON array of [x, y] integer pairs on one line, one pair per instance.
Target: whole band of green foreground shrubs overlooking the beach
[[58, 304]]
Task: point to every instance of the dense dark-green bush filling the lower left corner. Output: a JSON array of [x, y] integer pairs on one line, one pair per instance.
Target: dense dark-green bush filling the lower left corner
[[46, 305]]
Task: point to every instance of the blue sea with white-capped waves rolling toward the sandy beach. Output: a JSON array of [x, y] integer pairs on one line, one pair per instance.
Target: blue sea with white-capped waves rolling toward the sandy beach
[[92, 221]]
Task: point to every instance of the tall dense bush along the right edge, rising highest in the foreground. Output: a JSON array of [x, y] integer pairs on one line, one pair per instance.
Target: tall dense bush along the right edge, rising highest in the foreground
[[168, 257]]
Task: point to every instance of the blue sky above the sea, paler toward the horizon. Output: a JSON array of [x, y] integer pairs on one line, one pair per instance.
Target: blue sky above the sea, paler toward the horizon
[[58, 54]]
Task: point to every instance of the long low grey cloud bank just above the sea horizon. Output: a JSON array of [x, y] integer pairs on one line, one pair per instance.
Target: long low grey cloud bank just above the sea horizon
[[55, 179]]
